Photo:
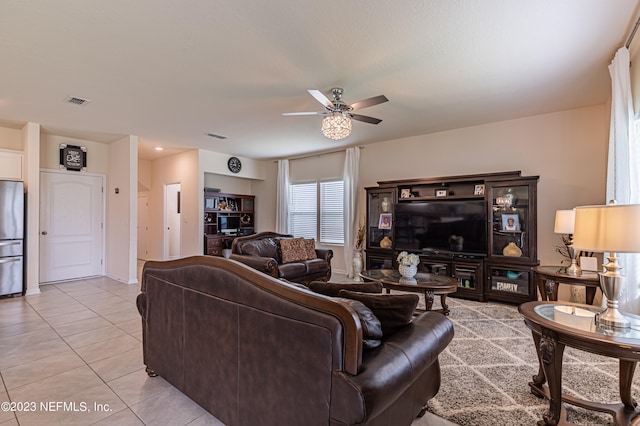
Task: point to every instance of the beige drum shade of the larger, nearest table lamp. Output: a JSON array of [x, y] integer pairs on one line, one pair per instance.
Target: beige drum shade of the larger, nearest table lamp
[[612, 228]]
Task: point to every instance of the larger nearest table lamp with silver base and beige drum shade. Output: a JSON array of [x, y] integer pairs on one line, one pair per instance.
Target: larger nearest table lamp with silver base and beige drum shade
[[609, 229]]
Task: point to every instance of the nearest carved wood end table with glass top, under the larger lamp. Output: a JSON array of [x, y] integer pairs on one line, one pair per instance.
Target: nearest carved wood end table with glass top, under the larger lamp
[[551, 333]]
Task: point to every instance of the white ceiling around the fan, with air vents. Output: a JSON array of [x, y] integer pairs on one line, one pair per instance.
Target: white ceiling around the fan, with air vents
[[172, 71]]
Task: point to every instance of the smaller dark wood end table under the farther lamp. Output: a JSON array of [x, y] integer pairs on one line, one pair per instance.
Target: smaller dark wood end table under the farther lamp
[[547, 279]]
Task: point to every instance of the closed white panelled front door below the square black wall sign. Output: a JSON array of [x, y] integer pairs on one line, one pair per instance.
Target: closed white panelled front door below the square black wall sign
[[71, 217]]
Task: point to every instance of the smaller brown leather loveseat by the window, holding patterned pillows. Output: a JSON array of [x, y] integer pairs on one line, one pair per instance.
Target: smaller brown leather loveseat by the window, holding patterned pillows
[[261, 251]]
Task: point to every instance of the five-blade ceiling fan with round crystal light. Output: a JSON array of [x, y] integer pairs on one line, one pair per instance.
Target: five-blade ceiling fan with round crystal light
[[337, 122]]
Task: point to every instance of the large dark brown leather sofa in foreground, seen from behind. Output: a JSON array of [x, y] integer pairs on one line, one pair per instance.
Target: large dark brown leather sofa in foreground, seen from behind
[[251, 349]]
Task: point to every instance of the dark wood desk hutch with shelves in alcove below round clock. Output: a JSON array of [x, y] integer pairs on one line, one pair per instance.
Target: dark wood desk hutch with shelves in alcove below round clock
[[220, 209]]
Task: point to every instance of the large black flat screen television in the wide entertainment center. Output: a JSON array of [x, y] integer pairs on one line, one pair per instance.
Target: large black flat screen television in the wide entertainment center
[[457, 226]]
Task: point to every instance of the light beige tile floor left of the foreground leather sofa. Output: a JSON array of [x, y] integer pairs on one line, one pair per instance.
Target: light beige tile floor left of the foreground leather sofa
[[72, 355]]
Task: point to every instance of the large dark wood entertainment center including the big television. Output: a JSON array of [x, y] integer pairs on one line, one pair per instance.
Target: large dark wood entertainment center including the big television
[[480, 229]]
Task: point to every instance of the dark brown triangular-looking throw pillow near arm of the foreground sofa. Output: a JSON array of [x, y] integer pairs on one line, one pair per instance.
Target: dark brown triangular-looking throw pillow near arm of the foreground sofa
[[393, 310]]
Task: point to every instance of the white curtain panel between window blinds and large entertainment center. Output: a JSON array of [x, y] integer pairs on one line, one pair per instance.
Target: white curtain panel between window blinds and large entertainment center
[[351, 181]]
